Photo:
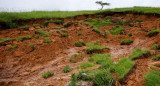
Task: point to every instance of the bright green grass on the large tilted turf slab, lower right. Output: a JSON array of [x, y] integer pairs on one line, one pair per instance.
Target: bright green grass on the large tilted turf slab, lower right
[[123, 67]]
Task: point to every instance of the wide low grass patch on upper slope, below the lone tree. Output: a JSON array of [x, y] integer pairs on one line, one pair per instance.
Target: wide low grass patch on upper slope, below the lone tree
[[97, 22]]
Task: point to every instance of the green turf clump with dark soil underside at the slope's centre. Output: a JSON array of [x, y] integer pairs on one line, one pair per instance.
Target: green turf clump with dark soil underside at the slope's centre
[[93, 47]]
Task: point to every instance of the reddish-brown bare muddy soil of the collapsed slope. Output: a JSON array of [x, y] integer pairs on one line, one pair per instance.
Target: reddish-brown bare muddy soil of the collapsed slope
[[24, 66]]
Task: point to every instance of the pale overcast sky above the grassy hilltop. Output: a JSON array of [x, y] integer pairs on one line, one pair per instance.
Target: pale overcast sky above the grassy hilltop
[[70, 5]]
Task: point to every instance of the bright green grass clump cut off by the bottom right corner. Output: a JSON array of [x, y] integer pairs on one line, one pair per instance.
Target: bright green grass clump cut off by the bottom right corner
[[153, 78]]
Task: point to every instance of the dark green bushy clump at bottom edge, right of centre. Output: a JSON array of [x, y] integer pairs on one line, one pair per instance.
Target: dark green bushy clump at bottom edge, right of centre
[[103, 78]]
